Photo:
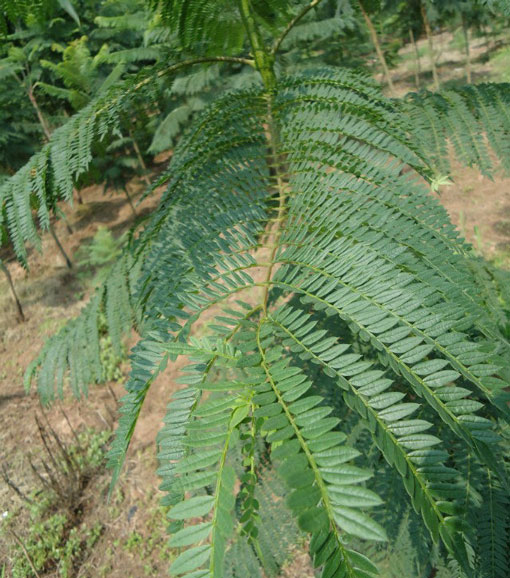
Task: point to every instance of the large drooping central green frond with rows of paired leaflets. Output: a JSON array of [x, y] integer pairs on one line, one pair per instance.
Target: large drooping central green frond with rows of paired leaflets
[[356, 242]]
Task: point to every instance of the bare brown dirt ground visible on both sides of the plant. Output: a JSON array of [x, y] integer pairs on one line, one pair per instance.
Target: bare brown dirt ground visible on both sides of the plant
[[51, 294]]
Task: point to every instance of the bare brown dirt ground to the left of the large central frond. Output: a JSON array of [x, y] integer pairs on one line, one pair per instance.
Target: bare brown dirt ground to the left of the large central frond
[[51, 294]]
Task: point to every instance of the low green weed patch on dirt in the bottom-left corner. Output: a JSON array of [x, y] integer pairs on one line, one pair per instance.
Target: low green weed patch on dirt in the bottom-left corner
[[55, 540]]
